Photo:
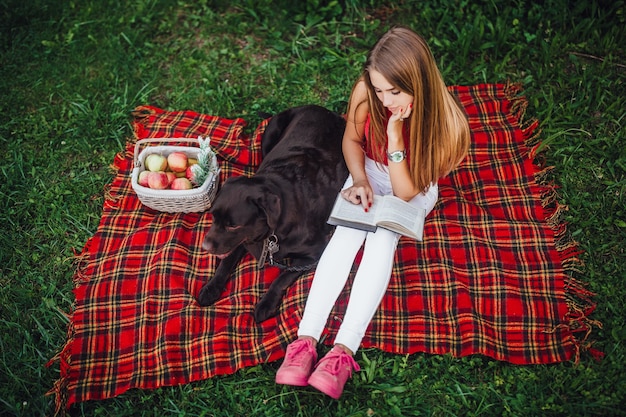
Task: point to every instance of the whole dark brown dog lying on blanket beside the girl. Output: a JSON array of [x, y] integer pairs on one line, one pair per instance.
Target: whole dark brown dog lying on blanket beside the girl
[[279, 215]]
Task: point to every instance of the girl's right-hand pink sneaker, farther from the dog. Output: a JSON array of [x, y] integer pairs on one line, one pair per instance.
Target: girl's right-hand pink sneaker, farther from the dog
[[332, 372]]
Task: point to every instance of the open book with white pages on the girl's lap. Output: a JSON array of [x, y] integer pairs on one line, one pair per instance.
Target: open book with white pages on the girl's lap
[[388, 212]]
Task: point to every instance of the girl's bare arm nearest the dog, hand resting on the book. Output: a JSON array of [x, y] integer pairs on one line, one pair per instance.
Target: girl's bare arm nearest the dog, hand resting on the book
[[361, 191]]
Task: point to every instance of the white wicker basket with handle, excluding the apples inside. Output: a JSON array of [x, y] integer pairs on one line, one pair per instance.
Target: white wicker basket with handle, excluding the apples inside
[[173, 201]]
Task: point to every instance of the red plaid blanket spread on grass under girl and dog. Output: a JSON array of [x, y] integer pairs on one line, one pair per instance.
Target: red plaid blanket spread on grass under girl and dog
[[493, 275]]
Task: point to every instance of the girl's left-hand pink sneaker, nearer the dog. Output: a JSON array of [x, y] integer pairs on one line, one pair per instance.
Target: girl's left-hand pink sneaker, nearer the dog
[[299, 360]]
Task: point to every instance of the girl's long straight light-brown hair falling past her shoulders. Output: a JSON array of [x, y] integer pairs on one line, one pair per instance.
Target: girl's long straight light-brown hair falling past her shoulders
[[439, 130]]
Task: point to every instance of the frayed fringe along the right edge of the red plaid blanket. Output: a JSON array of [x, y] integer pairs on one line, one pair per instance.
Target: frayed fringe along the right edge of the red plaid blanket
[[578, 298]]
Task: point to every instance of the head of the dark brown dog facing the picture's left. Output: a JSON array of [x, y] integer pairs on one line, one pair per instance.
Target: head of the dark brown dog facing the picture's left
[[244, 212]]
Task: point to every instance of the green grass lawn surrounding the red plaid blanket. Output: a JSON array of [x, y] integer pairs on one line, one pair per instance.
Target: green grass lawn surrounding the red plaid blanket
[[71, 72]]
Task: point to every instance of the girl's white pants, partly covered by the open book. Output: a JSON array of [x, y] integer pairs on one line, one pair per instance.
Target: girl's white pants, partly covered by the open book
[[372, 277]]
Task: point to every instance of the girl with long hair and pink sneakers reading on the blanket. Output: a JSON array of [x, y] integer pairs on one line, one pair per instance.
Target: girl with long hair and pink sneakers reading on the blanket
[[404, 131]]
